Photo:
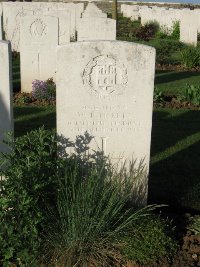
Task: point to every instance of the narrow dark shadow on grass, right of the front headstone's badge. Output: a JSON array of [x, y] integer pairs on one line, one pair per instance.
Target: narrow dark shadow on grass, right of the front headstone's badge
[[170, 76]]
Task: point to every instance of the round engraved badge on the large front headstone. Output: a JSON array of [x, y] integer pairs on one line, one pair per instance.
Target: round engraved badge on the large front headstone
[[105, 76]]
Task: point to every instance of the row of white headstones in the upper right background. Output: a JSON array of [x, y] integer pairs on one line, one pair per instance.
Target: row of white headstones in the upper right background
[[166, 17]]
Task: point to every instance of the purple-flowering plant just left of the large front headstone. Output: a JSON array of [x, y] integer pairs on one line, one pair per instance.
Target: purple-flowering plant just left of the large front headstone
[[44, 90]]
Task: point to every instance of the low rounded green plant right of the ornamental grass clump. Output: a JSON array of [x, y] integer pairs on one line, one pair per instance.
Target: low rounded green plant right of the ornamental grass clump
[[149, 236]]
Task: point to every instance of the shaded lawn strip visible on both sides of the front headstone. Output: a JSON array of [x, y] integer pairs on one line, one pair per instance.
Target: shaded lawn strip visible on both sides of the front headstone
[[175, 151]]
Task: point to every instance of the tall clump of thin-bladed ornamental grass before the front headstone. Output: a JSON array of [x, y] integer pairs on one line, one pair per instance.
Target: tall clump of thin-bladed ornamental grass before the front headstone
[[92, 214]]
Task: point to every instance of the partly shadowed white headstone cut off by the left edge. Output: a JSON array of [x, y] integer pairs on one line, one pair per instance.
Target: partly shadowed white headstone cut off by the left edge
[[6, 111]]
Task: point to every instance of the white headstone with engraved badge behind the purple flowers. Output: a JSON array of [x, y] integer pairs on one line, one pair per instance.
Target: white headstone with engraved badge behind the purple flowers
[[38, 42]]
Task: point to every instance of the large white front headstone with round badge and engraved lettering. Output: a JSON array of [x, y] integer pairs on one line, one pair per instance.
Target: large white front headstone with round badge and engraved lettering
[[106, 89]]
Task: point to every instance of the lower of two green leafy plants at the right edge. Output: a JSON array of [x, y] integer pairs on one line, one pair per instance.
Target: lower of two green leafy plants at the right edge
[[191, 93]]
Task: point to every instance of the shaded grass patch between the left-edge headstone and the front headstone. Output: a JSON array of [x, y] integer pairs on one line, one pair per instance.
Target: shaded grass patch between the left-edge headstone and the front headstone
[[28, 118]]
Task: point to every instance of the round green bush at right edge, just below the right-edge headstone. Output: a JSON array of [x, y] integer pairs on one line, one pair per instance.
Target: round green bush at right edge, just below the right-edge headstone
[[190, 57]]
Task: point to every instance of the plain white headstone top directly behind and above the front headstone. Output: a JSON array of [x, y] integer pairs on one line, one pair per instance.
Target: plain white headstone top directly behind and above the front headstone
[[96, 29]]
